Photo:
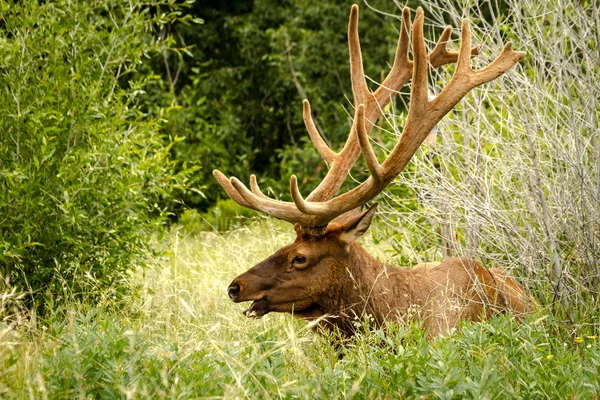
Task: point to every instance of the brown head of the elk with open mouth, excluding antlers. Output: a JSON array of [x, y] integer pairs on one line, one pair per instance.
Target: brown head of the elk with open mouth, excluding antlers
[[298, 277]]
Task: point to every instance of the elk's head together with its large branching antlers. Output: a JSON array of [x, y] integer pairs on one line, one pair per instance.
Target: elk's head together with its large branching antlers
[[302, 276]]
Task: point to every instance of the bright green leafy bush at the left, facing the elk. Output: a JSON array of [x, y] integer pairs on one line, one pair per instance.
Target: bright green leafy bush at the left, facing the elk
[[81, 166]]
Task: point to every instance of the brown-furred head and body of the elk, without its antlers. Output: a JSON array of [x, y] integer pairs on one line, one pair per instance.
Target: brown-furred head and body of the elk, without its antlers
[[340, 282]]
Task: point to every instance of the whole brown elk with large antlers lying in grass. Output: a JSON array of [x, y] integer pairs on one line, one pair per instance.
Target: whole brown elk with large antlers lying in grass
[[325, 275]]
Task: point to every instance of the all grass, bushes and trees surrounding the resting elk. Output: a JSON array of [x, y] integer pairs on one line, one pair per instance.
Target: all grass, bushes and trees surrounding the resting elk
[[114, 114]]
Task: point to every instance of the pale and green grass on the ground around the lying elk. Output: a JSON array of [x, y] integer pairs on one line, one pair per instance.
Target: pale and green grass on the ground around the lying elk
[[180, 337]]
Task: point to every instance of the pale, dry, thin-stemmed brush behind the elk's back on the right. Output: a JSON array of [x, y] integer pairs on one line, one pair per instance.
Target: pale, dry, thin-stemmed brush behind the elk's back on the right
[[515, 176]]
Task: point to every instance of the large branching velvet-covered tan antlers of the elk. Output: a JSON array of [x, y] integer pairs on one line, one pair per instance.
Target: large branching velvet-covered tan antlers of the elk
[[320, 207]]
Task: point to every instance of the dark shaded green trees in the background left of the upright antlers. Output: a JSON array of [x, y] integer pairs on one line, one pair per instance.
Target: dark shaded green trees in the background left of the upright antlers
[[240, 96]]
